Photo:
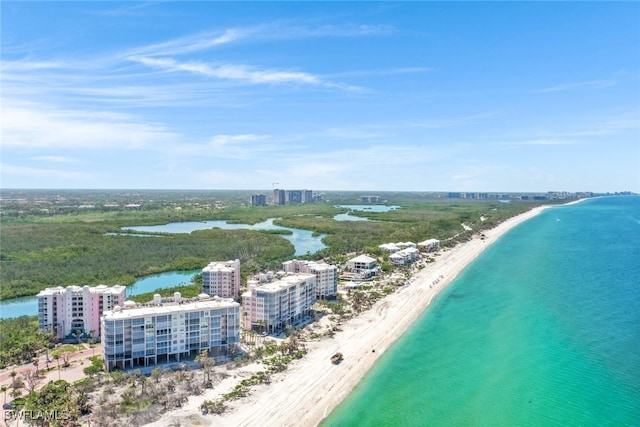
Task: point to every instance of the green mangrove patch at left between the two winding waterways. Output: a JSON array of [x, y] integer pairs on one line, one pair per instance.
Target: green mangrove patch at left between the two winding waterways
[[37, 255]]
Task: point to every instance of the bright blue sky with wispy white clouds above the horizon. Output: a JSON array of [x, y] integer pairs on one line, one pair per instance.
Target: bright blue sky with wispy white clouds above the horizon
[[424, 96]]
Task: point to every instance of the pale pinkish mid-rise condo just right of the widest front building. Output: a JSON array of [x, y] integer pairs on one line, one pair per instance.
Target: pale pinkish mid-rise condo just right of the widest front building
[[271, 306]]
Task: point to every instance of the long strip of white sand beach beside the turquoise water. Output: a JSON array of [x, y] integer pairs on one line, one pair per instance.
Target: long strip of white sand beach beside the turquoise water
[[311, 388]]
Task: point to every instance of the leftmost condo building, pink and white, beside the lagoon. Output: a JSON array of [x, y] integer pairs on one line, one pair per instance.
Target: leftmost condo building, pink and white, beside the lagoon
[[75, 310]]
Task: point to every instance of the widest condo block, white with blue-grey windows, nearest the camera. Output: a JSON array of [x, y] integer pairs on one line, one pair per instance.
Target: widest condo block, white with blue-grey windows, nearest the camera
[[167, 330]]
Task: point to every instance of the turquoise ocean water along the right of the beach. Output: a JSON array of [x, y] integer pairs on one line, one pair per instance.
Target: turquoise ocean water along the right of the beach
[[543, 329]]
